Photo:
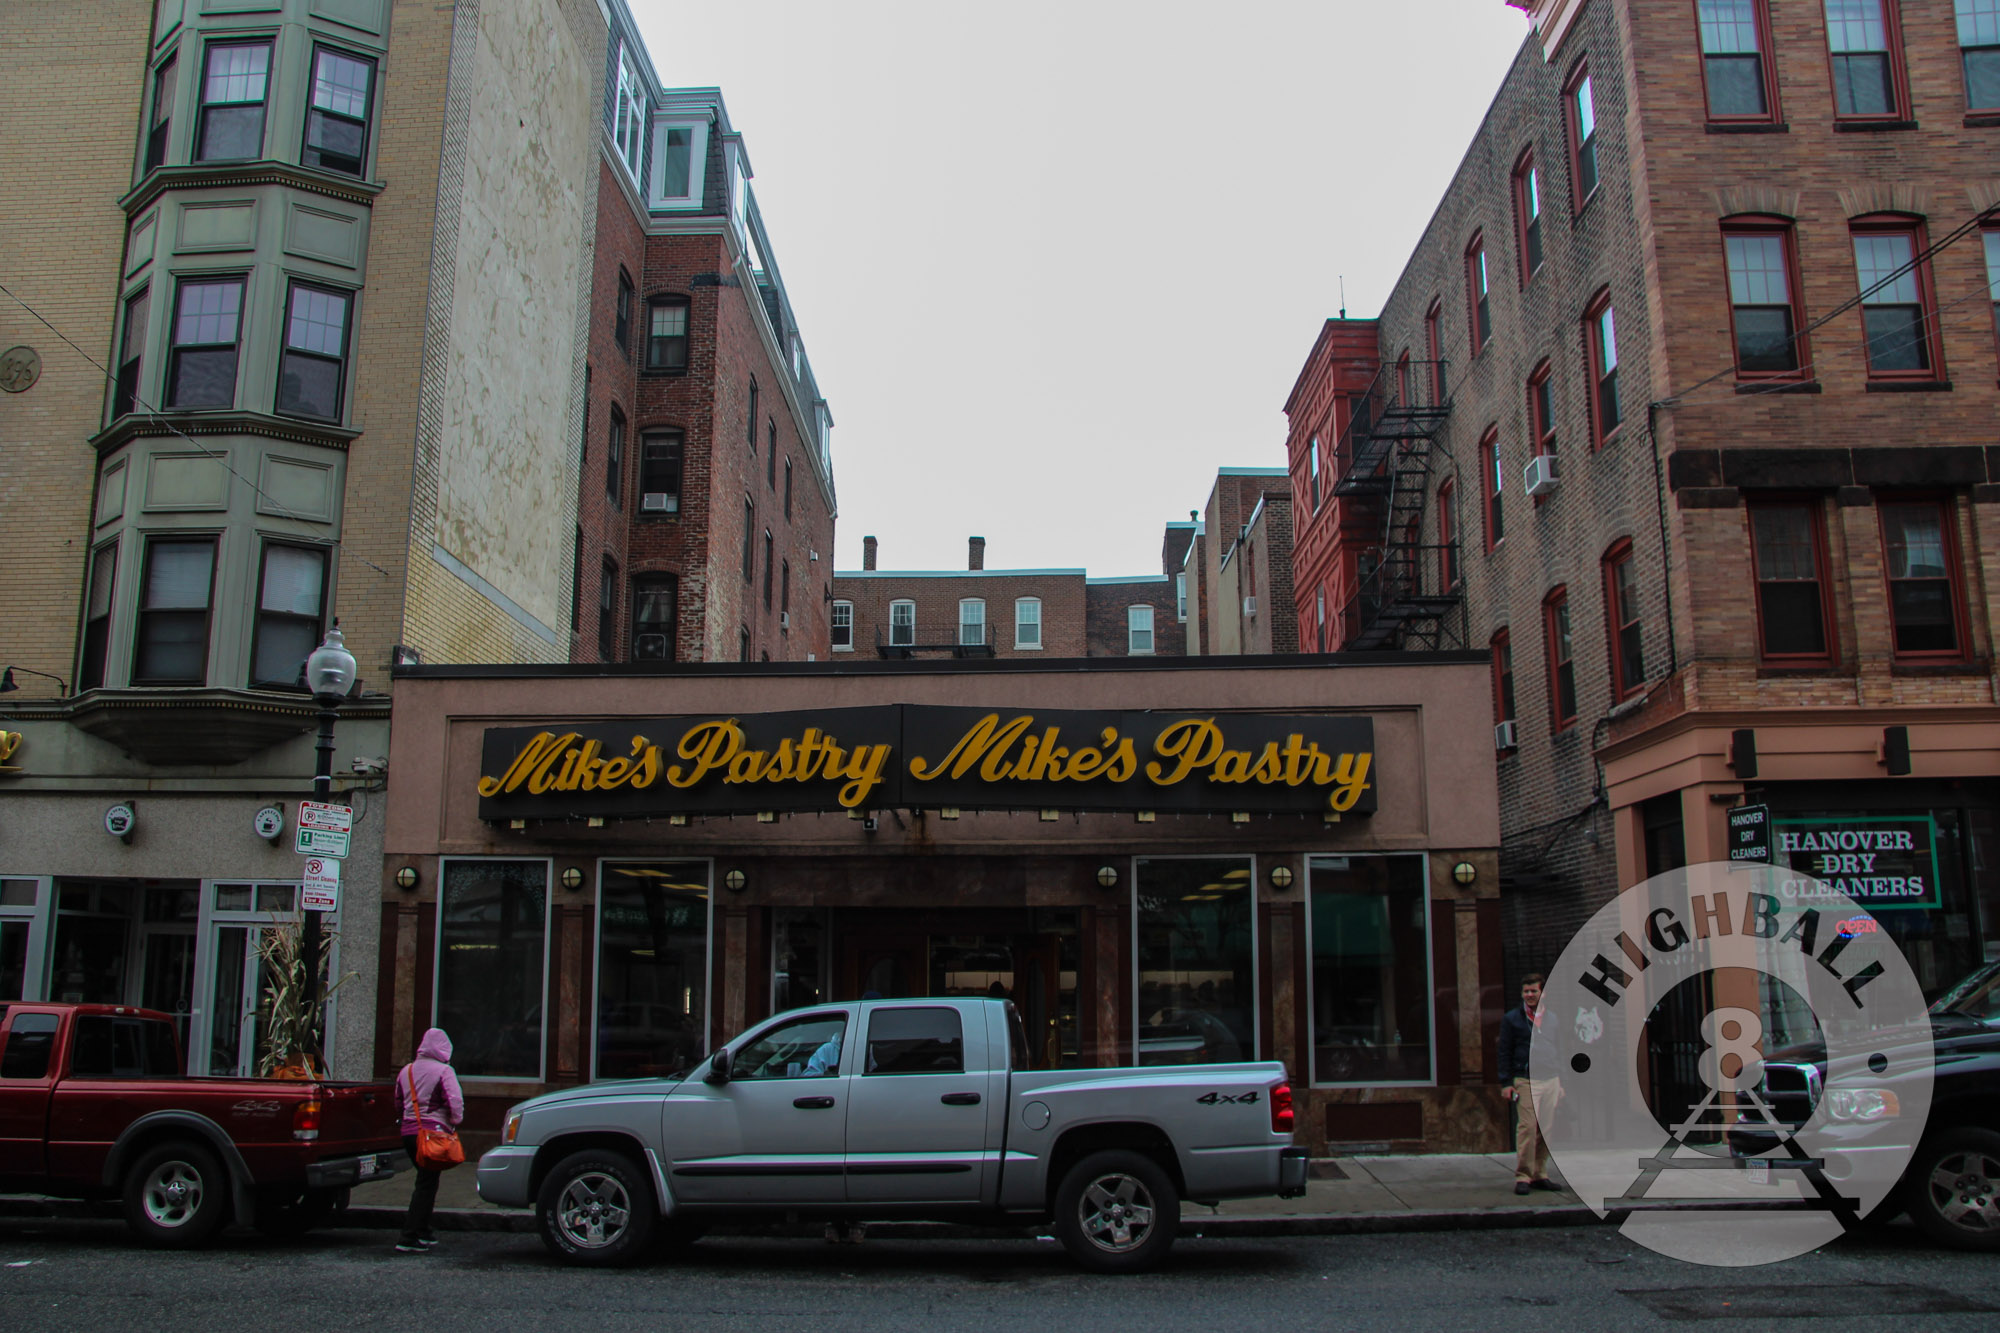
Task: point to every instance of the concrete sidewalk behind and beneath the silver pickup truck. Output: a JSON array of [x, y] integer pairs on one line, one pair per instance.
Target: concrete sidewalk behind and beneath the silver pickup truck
[[1437, 1192]]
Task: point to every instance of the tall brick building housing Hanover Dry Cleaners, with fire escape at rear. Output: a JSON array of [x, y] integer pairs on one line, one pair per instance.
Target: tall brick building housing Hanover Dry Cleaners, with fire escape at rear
[[1683, 407]]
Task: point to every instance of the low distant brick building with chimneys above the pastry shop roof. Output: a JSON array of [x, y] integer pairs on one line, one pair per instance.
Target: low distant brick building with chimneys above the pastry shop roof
[[1007, 611]]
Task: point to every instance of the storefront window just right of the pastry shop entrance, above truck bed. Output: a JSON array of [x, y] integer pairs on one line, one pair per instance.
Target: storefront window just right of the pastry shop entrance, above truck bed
[[1197, 976]]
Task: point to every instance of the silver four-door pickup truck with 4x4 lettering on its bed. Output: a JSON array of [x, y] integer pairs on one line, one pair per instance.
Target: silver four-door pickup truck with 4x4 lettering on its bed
[[897, 1110]]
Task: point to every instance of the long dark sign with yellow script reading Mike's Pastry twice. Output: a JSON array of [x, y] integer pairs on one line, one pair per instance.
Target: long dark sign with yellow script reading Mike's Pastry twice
[[915, 756]]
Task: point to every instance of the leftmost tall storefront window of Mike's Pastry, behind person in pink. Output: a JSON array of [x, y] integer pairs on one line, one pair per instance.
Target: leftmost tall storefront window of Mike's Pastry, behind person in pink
[[493, 934]]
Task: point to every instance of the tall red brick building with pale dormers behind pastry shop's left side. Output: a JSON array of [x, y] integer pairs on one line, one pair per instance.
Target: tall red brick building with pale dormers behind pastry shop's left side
[[707, 507]]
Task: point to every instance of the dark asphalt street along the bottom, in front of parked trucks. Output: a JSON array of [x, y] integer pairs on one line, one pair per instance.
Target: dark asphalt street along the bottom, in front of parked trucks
[[87, 1276]]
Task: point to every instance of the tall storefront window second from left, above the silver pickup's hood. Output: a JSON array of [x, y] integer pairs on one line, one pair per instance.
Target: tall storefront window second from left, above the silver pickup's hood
[[653, 968]]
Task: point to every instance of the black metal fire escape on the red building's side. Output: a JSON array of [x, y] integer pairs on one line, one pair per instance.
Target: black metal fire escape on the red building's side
[[1409, 591]]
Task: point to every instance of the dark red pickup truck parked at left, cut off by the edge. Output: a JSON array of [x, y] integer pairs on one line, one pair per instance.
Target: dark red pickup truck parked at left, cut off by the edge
[[95, 1106]]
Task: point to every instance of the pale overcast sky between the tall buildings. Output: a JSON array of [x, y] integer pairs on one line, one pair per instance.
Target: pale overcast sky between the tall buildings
[[1059, 263]]
